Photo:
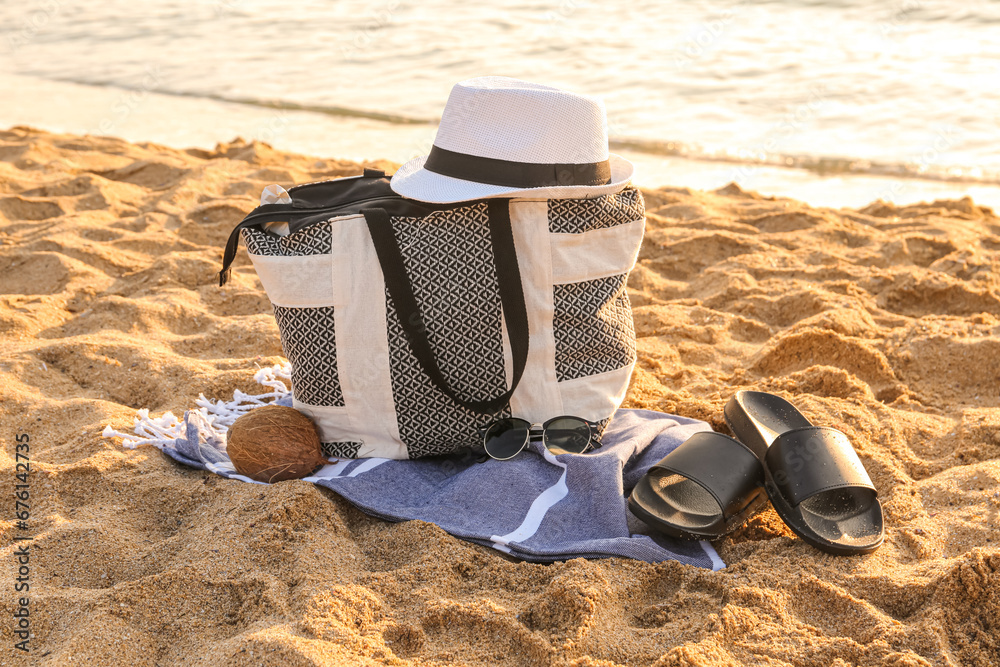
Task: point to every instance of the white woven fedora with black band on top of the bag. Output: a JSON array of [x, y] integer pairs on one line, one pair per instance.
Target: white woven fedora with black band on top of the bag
[[501, 137]]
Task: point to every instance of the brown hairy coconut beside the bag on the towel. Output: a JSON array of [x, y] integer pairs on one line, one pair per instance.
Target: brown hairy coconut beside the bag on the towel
[[274, 443]]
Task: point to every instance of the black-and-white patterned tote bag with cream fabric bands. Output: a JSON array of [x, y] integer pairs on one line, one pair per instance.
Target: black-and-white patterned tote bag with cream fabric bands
[[409, 325]]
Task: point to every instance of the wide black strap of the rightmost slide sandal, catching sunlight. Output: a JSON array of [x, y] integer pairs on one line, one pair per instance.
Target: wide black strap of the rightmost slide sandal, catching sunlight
[[807, 461]]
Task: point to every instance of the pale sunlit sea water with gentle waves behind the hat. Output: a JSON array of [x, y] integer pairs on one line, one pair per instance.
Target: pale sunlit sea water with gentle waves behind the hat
[[837, 102]]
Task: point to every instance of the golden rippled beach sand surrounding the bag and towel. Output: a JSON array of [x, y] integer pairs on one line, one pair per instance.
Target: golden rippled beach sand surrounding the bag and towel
[[883, 322]]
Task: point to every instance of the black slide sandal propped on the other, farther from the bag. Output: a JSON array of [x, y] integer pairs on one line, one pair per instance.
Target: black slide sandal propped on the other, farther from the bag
[[812, 474]]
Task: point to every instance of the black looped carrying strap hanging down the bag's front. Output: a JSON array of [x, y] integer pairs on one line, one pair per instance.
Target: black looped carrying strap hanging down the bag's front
[[400, 289]]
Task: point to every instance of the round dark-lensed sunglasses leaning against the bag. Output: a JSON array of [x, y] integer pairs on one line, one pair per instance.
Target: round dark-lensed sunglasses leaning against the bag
[[505, 438]]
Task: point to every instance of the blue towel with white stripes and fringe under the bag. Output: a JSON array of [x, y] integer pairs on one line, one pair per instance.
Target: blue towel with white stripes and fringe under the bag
[[537, 506]]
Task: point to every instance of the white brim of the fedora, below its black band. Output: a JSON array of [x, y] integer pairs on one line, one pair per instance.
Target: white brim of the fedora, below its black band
[[414, 182]]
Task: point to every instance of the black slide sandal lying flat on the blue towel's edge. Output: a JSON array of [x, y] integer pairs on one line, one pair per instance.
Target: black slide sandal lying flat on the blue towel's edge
[[707, 487]]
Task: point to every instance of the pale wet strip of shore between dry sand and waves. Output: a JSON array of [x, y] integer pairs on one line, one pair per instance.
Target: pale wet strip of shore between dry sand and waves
[[181, 121]]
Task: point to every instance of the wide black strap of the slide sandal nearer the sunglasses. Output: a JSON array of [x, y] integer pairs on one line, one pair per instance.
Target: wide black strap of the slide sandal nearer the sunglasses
[[725, 467]]
